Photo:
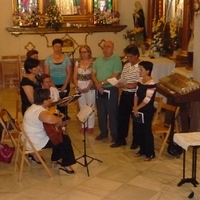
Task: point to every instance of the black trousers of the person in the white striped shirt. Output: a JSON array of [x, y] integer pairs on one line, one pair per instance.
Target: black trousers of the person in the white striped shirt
[[124, 113]]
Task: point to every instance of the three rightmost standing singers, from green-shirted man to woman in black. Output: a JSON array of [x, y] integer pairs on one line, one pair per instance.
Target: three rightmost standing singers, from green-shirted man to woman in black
[[138, 94]]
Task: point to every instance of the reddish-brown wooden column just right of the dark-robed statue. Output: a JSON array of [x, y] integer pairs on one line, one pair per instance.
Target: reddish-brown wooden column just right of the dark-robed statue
[[150, 14]]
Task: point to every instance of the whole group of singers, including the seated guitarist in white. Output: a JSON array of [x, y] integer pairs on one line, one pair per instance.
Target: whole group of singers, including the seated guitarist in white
[[39, 88]]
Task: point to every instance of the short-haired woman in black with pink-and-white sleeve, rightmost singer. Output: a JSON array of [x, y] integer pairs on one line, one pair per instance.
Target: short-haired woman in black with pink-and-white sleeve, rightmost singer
[[144, 103]]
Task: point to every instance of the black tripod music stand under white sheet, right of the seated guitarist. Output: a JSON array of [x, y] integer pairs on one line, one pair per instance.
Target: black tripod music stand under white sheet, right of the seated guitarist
[[85, 156]]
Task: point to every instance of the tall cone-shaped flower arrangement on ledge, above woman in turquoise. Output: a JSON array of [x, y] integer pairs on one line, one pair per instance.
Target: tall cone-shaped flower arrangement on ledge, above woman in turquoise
[[53, 18]]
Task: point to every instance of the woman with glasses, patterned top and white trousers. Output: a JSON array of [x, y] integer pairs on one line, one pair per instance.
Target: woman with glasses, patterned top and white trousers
[[84, 84]]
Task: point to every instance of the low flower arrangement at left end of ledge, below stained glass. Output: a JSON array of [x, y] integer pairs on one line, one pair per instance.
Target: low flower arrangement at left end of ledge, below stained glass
[[26, 18]]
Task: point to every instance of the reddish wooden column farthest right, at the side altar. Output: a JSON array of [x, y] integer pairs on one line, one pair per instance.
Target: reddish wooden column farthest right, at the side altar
[[186, 26]]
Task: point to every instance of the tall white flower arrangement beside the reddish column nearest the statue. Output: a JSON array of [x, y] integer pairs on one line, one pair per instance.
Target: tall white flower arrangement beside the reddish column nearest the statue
[[158, 27]]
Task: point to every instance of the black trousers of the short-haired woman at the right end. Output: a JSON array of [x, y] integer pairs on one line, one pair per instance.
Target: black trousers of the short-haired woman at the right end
[[146, 139]]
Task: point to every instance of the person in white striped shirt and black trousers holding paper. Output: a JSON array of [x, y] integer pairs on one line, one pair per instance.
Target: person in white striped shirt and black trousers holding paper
[[128, 82]]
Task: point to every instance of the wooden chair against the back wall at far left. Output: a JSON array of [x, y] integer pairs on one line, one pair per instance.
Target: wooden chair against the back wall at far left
[[10, 70]]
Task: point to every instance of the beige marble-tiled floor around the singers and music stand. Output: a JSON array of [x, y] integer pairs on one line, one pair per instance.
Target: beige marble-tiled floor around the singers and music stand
[[121, 175]]
